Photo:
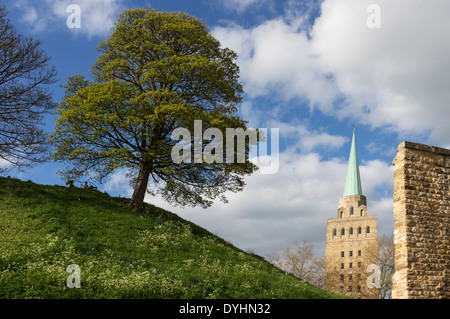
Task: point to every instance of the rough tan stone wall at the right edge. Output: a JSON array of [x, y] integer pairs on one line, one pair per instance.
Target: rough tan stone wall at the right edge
[[422, 222]]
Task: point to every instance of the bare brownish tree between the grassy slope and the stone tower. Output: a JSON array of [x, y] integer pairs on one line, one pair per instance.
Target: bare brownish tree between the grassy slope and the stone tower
[[300, 262]]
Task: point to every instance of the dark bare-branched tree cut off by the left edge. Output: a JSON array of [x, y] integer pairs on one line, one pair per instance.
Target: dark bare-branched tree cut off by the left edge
[[24, 71]]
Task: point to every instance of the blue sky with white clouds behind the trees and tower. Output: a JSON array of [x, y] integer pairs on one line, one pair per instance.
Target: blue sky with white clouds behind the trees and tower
[[311, 69]]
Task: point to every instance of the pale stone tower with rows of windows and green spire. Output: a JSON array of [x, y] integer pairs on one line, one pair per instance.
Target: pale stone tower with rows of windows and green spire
[[351, 239]]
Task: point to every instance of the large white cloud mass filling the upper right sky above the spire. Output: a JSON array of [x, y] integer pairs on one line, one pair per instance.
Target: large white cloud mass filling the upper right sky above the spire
[[393, 77]]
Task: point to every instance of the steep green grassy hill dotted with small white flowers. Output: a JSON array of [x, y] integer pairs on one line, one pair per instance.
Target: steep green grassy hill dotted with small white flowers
[[122, 254]]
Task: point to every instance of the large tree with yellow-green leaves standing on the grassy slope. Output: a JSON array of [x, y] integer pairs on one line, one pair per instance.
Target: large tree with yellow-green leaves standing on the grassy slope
[[156, 72]]
